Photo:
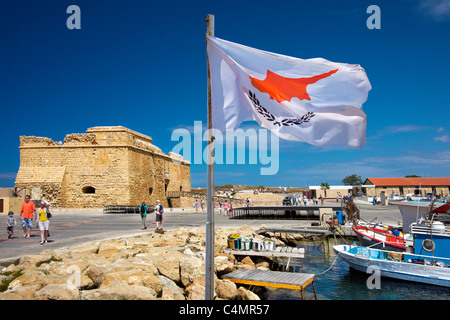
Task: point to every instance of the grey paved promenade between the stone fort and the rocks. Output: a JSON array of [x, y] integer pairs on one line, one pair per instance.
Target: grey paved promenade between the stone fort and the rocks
[[72, 228]]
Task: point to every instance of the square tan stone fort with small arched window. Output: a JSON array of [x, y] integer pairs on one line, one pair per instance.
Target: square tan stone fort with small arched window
[[104, 166]]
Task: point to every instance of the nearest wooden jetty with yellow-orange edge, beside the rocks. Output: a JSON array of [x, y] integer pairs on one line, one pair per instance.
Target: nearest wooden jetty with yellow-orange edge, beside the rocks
[[276, 279]]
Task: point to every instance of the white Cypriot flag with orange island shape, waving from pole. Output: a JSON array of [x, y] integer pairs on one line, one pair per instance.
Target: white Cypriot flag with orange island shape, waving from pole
[[315, 100]]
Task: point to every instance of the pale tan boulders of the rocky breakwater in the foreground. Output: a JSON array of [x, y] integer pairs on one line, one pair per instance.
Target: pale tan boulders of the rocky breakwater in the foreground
[[152, 266]]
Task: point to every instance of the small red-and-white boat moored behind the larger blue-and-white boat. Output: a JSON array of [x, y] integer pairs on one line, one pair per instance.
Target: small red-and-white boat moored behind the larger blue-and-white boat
[[380, 236]]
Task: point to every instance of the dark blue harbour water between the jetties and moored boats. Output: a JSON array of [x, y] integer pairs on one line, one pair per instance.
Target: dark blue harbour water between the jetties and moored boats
[[342, 283]]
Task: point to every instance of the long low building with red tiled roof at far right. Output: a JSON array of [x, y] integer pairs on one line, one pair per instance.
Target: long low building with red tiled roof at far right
[[406, 186]]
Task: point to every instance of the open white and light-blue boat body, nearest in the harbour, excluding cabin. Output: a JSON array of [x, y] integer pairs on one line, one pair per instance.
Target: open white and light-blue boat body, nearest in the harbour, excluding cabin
[[397, 265]]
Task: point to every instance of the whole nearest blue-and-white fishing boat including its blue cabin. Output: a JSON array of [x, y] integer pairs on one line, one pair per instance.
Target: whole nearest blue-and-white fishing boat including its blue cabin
[[429, 261]]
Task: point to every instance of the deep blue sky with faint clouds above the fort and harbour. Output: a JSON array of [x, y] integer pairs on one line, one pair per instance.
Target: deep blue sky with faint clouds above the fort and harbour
[[142, 64]]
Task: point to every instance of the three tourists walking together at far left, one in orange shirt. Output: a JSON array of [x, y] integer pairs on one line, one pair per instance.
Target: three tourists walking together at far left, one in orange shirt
[[28, 213]]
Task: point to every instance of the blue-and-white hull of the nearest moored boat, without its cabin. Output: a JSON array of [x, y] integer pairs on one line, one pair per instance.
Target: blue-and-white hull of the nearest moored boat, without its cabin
[[369, 259]]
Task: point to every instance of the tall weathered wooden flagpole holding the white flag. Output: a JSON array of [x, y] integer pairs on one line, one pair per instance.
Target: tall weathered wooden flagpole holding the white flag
[[209, 259]]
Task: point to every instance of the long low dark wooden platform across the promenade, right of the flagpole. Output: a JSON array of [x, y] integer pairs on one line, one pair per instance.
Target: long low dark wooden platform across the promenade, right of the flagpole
[[281, 212]]
